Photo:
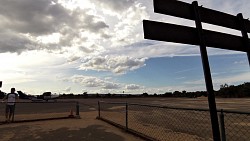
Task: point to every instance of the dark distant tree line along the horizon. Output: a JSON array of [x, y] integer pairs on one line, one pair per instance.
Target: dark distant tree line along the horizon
[[225, 91]]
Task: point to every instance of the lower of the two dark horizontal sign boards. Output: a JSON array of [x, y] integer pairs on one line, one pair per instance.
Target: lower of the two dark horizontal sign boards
[[188, 35]]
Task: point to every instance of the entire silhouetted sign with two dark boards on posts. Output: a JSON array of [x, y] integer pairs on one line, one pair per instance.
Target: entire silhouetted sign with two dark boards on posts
[[197, 36]]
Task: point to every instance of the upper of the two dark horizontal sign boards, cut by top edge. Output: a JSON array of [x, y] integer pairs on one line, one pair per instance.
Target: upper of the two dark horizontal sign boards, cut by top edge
[[185, 10]]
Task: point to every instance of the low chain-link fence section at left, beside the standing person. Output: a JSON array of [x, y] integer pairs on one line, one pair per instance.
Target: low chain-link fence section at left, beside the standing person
[[32, 111]]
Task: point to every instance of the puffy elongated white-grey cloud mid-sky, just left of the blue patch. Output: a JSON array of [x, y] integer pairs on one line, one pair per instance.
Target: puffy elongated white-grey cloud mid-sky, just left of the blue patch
[[116, 64]]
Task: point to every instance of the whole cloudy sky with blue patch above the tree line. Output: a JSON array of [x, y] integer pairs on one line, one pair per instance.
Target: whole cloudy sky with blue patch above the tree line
[[97, 46]]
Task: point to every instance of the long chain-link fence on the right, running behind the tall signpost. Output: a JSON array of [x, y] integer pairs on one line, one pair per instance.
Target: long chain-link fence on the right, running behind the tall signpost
[[174, 124]]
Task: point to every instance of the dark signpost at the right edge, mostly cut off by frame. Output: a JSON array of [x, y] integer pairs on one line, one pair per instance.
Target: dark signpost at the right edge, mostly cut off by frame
[[244, 34]]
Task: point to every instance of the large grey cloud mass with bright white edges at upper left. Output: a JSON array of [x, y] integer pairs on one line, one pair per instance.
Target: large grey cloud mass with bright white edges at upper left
[[40, 18]]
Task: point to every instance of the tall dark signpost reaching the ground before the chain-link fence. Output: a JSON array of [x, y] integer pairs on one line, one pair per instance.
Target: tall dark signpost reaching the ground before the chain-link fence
[[207, 74]]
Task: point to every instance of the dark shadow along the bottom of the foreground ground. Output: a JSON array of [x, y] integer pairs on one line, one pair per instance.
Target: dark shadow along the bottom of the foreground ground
[[90, 133]]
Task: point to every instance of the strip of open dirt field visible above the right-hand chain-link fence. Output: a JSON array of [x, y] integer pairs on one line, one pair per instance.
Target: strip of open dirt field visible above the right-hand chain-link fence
[[235, 104]]
